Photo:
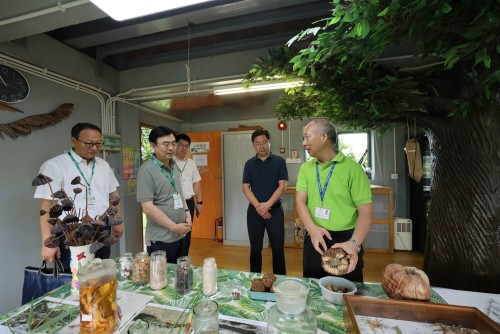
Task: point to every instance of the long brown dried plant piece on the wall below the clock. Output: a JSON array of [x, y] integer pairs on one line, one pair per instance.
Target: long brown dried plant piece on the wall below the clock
[[25, 126]]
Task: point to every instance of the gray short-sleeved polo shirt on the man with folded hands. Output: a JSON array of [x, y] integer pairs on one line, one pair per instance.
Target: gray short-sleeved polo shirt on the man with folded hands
[[153, 185]]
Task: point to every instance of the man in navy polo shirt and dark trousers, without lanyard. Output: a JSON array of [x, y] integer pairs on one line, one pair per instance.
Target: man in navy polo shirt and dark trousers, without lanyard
[[264, 181]]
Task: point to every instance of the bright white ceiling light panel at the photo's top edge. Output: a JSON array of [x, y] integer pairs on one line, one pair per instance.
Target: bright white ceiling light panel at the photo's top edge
[[121, 10]]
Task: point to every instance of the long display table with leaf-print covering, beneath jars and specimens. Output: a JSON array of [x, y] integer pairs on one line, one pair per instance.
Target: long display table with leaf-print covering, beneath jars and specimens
[[132, 298]]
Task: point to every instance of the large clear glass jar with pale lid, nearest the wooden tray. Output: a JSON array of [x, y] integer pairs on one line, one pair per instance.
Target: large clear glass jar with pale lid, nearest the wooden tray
[[290, 314]]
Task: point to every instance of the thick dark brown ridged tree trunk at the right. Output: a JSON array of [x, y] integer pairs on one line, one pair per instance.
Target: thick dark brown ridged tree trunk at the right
[[463, 237]]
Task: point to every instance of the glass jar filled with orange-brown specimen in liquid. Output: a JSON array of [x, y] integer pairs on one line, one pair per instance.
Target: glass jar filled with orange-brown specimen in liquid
[[98, 307]]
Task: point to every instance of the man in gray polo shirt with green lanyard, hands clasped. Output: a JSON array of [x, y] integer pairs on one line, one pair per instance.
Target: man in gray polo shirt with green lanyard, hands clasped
[[159, 191]]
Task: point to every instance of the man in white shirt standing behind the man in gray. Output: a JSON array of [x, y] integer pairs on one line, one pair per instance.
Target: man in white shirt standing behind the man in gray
[[190, 179]]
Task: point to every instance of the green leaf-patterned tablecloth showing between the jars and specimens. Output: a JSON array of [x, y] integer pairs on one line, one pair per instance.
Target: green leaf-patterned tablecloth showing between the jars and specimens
[[329, 316]]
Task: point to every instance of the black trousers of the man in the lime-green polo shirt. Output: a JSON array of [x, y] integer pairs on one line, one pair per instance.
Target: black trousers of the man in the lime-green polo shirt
[[311, 261]]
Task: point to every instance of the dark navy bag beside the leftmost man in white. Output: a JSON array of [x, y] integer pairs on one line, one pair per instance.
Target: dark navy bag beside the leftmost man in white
[[39, 281]]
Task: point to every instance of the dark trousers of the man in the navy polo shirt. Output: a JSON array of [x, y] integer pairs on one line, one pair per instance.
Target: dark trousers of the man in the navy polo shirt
[[275, 227]]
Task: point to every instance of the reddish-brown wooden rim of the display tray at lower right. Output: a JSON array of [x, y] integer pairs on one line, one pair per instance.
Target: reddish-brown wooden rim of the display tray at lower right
[[423, 312]]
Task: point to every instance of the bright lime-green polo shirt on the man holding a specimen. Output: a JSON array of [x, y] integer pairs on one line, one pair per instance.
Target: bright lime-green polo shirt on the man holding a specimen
[[348, 188]]
